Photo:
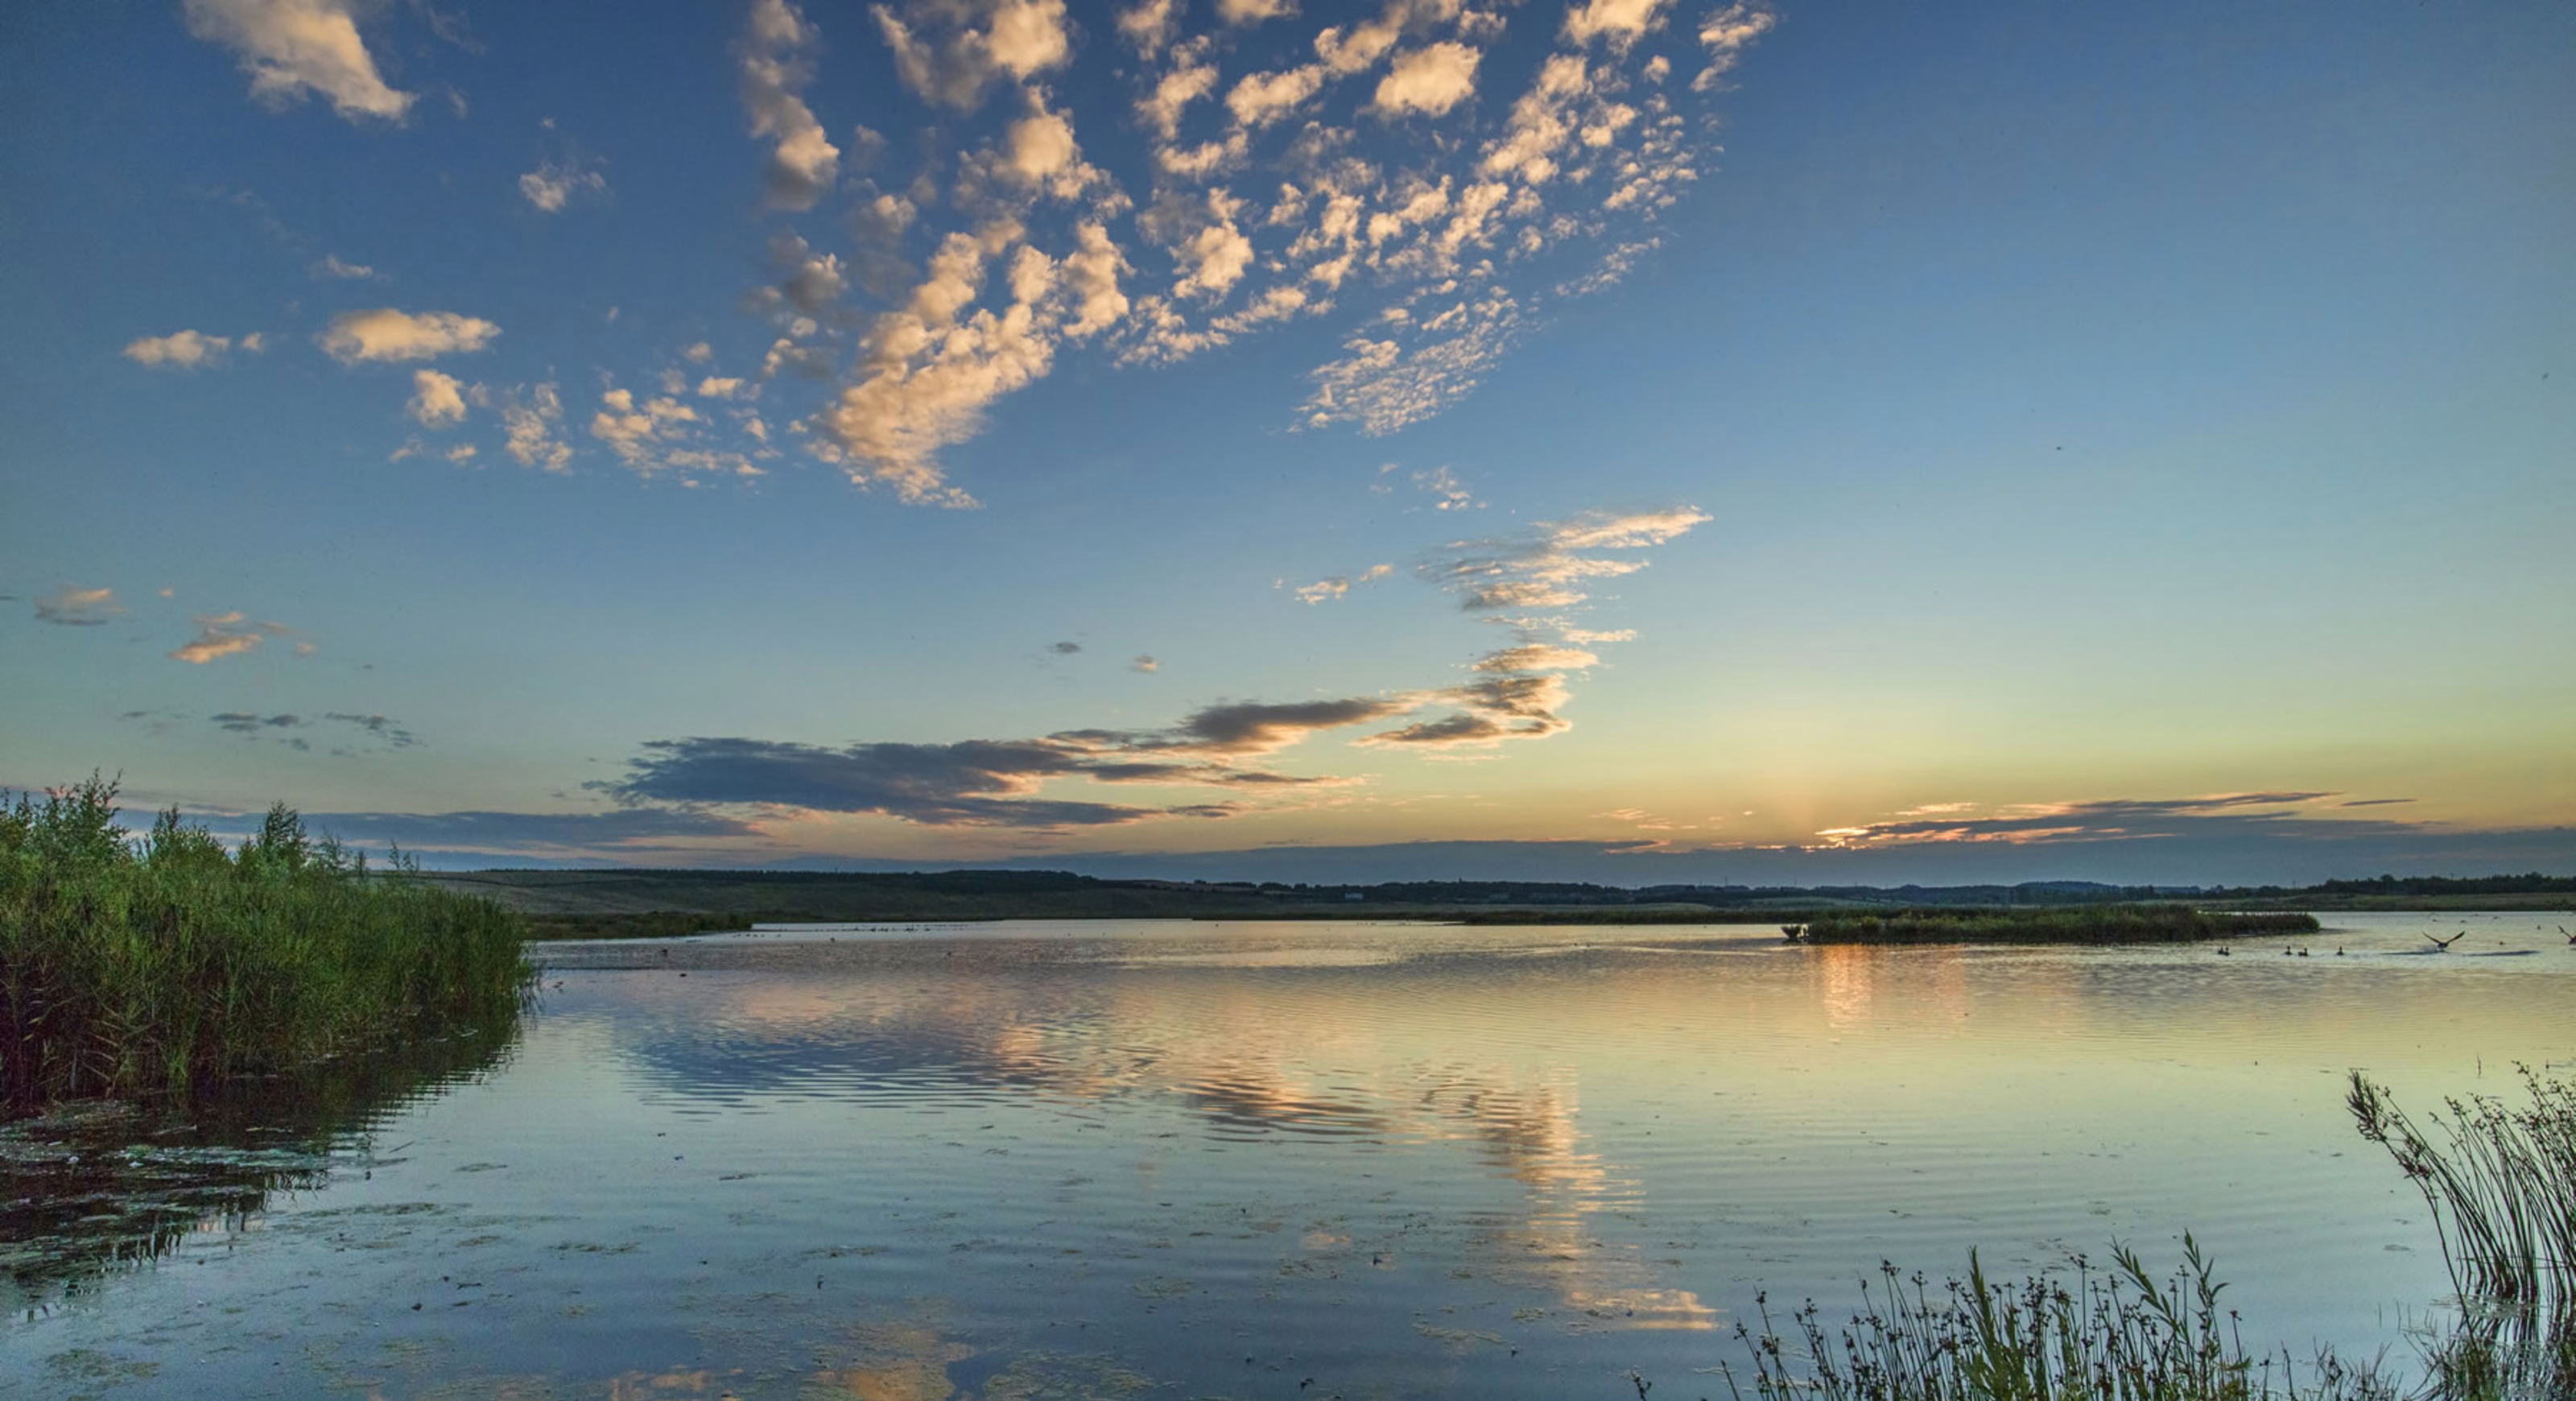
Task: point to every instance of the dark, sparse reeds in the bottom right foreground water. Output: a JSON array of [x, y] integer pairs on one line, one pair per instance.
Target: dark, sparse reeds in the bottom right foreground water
[[2503, 1189]]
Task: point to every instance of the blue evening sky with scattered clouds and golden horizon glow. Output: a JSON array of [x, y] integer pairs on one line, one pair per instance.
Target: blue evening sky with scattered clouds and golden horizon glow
[[1266, 439]]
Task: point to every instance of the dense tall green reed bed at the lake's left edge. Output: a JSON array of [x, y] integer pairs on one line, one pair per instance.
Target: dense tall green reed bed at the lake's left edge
[[164, 967]]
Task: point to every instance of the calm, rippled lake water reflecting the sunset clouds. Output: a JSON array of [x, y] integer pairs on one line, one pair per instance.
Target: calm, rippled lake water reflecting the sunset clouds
[[1312, 1160]]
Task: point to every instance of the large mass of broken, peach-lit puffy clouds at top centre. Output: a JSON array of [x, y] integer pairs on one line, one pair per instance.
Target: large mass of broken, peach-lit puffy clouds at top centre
[[1269, 200]]
